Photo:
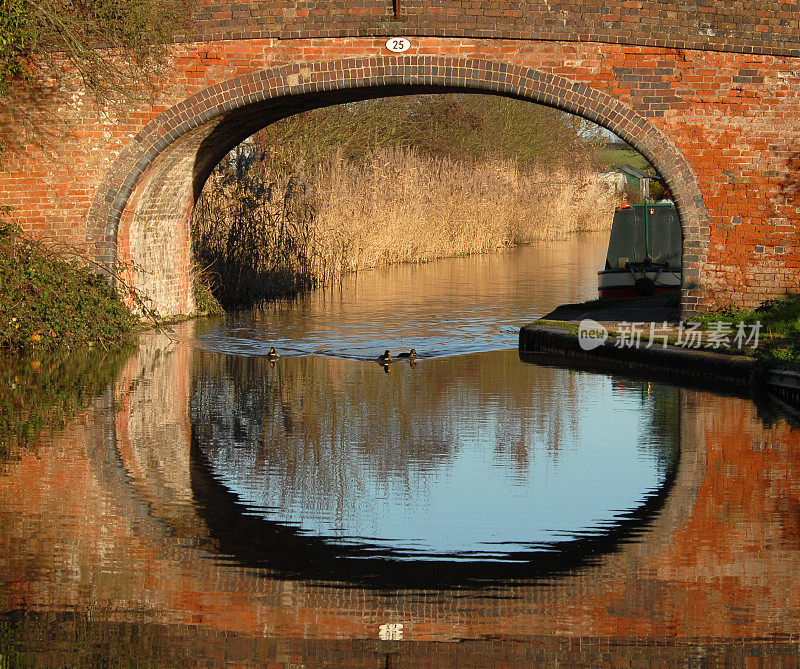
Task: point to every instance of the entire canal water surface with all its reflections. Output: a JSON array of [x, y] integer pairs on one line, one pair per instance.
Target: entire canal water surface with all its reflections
[[202, 503]]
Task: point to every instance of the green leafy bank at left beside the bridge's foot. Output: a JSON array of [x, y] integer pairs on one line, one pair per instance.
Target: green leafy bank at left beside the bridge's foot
[[49, 303]]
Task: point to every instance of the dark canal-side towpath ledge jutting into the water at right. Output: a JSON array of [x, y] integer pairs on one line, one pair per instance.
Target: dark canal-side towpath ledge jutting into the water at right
[[645, 336]]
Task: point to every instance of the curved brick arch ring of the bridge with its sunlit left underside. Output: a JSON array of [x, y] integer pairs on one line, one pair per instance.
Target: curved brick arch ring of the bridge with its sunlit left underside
[[160, 172]]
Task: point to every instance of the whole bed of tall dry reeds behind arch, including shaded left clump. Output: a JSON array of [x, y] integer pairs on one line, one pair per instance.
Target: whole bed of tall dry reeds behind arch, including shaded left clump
[[264, 232]]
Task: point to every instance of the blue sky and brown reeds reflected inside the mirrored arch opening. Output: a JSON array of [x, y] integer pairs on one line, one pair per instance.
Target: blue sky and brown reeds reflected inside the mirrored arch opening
[[470, 456]]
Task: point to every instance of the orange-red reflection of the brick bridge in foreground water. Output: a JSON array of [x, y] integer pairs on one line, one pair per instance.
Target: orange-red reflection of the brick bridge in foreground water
[[719, 561]]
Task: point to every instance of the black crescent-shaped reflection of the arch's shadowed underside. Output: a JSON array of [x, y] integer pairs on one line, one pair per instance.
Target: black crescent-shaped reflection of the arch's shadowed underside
[[289, 553]]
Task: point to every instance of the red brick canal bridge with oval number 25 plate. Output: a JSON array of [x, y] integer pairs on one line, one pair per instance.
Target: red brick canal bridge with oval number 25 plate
[[709, 91]]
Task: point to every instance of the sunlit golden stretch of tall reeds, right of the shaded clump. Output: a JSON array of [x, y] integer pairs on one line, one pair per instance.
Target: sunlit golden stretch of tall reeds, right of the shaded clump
[[398, 205]]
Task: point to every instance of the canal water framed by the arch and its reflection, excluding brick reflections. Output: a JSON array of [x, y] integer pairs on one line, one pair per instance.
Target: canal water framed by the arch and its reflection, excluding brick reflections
[[476, 468]]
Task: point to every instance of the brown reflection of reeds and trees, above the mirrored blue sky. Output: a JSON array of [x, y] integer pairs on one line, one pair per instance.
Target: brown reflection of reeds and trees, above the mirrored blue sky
[[320, 421]]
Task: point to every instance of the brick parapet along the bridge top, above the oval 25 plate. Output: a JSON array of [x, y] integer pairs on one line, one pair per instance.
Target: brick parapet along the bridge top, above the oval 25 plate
[[760, 27]]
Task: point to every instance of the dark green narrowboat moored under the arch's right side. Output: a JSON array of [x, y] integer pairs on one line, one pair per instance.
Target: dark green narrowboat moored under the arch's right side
[[644, 252]]
